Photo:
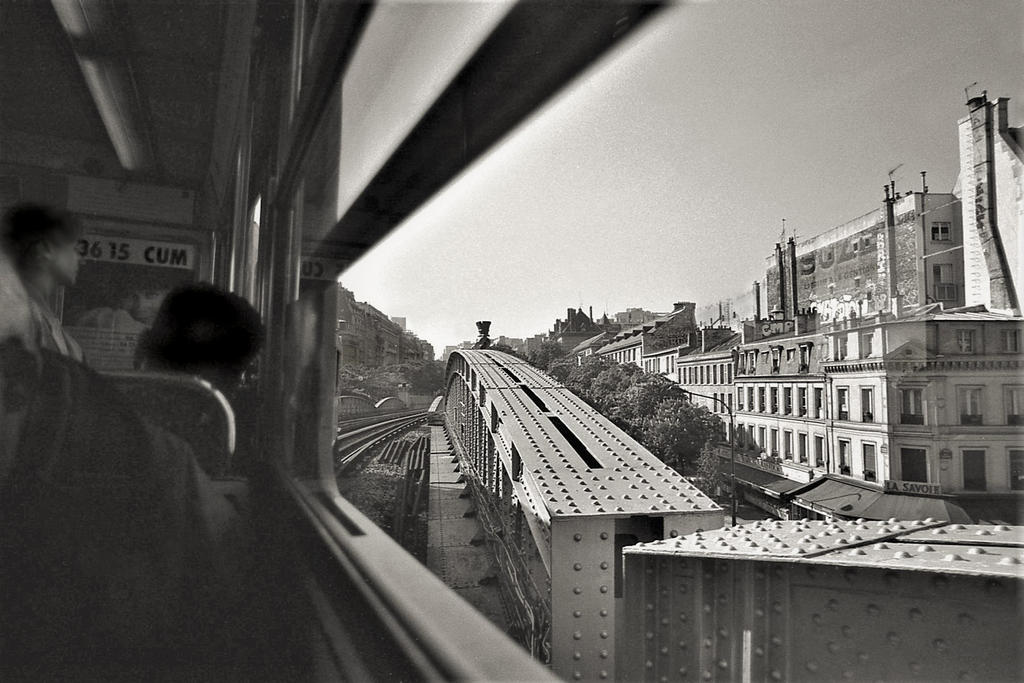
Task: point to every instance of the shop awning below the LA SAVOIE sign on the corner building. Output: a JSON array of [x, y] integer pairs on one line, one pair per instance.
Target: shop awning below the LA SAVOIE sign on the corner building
[[852, 501]]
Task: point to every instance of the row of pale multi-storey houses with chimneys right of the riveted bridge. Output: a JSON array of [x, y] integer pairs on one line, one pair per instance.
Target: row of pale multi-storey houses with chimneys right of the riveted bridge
[[886, 378]]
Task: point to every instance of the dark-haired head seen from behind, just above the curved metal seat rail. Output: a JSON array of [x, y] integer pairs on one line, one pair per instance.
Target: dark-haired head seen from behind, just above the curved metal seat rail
[[204, 331]]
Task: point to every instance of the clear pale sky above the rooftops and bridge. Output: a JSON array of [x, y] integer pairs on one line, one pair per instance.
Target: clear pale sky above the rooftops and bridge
[[664, 173]]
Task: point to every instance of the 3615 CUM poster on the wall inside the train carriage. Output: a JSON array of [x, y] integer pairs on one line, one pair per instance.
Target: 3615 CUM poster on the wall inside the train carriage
[[121, 284]]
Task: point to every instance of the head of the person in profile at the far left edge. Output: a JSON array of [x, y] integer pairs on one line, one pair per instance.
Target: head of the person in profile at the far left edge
[[42, 242]]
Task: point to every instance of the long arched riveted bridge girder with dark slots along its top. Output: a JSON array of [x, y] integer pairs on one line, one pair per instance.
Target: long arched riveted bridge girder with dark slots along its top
[[561, 491]]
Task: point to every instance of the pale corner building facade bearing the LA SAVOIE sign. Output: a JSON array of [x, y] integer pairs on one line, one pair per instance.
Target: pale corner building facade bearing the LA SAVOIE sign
[[935, 399]]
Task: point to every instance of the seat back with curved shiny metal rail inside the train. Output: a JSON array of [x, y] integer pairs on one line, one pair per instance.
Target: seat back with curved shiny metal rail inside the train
[[189, 408]]
